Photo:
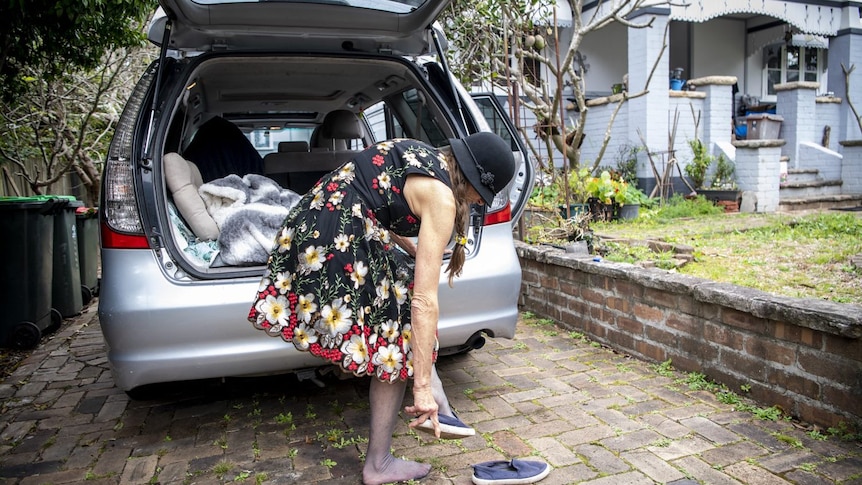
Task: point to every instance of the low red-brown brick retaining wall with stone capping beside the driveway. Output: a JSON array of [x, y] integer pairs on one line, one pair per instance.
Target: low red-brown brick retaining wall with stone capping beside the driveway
[[804, 355]]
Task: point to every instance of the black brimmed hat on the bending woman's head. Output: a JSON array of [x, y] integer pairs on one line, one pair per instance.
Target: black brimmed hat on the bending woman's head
[[487, 162]]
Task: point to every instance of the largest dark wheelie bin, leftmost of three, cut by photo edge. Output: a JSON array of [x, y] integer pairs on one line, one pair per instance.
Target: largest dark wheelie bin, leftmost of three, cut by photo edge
[[26, 243]]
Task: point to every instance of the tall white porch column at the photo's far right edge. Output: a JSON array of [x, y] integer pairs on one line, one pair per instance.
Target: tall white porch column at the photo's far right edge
[[846, 48]]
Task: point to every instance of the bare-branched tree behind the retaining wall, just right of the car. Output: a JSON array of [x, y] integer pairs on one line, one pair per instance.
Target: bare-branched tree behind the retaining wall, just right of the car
[[557, 126]]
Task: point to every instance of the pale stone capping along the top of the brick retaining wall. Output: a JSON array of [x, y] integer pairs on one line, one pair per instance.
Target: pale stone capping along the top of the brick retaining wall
[[840, 319]]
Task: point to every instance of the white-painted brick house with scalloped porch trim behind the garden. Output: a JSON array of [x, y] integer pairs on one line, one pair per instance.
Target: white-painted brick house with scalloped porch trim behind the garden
[[784, 56]]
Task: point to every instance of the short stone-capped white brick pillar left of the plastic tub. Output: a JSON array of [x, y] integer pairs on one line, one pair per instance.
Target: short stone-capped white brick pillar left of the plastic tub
[[717, 110]]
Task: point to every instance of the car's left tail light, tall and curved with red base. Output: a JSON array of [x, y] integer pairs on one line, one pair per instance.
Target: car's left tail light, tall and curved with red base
[[121, 219]]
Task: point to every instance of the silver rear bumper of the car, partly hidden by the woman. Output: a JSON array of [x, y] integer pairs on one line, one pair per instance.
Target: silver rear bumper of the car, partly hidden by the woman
[[159, 330]]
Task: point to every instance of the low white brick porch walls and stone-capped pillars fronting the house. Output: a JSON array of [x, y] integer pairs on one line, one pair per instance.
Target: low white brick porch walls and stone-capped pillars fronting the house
[[801, 167]]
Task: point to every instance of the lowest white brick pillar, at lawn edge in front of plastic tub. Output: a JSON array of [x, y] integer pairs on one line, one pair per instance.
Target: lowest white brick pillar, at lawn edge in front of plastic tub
[[757, 174]]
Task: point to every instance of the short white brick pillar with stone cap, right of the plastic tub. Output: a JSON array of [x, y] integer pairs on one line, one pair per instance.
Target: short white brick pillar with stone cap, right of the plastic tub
[[796, 104]]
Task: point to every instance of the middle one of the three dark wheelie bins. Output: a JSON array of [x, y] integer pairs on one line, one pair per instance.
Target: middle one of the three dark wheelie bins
[[66, 295]]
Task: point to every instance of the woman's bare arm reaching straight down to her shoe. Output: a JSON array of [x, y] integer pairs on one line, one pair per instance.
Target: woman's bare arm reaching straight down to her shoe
[[432, 201]]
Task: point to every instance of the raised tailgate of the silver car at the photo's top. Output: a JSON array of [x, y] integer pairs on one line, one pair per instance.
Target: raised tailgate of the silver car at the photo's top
[[391, 26]]
